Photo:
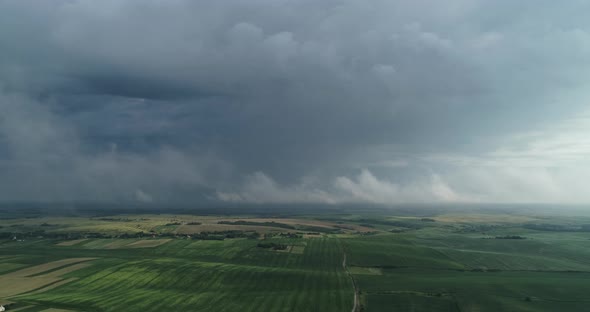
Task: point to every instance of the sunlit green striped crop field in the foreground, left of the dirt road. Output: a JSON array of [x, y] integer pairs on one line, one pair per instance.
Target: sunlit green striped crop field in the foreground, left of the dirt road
[[193, 276]]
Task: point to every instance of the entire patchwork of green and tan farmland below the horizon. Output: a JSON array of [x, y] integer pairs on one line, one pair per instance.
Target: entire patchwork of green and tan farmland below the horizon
[[435, 259]]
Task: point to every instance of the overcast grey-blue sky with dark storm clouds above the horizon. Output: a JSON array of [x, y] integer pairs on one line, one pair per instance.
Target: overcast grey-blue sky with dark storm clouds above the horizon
[[295, 101]]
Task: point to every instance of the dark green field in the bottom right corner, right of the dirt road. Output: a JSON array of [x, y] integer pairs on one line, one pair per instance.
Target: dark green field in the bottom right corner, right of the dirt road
[[477, 291]]
